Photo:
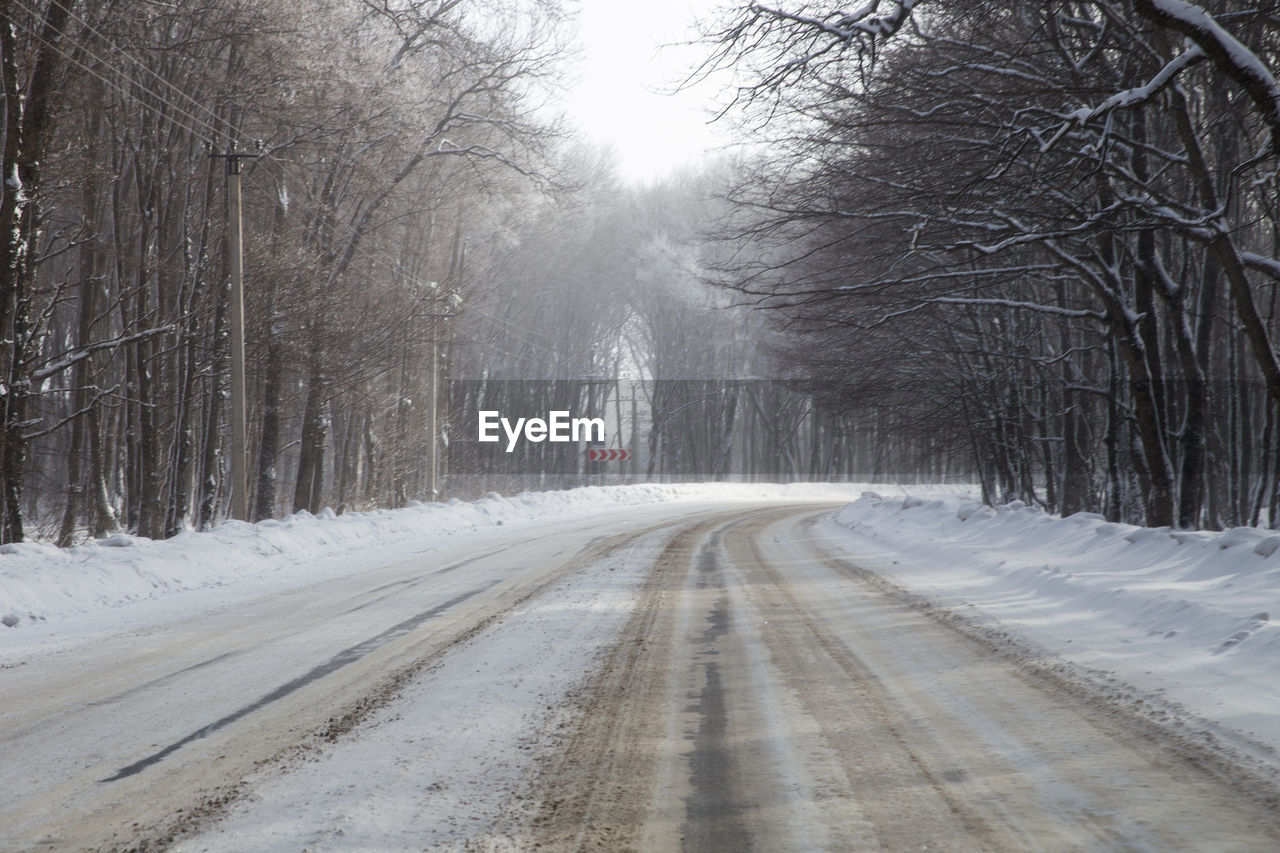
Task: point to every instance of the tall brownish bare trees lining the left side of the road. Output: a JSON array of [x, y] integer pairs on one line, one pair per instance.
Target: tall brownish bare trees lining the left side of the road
[[373, 133]]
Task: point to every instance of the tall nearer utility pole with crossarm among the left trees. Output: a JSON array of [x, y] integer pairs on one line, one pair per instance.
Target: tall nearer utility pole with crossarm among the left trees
[[236, 320]]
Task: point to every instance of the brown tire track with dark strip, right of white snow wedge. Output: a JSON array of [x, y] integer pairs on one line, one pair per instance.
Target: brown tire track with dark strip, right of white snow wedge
[[652, 763]]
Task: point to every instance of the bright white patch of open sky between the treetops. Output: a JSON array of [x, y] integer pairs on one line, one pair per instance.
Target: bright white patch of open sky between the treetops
[[620, 99]]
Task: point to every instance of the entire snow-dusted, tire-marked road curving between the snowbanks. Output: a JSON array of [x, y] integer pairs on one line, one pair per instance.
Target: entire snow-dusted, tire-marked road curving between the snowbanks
[[666, 679]]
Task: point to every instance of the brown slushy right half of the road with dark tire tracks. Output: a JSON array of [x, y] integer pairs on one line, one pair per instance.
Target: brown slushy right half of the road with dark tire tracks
[[767, 697]]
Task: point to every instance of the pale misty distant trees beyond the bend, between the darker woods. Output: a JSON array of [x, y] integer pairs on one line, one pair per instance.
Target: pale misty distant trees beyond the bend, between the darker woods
[[609, 305]]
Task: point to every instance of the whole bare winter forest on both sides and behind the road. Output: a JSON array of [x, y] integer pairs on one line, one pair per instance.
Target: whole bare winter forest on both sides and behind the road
[[1031, 245]]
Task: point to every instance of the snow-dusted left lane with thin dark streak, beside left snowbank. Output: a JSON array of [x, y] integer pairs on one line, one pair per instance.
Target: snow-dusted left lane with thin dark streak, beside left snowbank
[[147, 727]]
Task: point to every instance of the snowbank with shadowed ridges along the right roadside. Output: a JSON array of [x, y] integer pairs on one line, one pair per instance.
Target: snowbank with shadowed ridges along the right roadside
[[1195, 615]]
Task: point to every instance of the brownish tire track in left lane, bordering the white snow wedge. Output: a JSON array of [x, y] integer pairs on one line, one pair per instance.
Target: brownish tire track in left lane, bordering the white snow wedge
[[158, 799]]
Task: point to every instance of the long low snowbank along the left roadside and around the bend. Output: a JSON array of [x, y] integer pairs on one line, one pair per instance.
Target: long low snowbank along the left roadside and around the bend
[[40, 582]]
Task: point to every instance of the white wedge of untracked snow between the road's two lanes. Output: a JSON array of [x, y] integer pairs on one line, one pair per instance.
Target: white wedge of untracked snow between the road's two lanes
[[436, 769]]
